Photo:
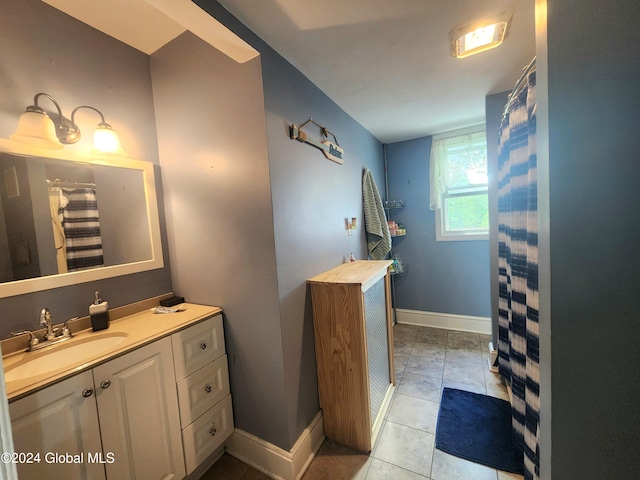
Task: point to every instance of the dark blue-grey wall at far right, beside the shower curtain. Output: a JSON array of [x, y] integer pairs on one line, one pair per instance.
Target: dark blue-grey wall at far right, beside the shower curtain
[[589, 170]]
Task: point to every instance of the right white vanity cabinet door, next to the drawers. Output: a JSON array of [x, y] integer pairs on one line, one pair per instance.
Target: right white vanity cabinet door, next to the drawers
[[139, 417]]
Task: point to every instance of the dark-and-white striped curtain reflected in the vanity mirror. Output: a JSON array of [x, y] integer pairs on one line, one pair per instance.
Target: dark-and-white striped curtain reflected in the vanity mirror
[[82, 230]]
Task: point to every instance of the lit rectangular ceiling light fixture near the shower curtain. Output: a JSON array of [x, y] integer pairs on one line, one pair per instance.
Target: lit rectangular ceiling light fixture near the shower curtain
[[479, 36]]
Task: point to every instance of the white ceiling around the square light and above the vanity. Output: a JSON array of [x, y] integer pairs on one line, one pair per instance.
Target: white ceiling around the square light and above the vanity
[[384, 62]]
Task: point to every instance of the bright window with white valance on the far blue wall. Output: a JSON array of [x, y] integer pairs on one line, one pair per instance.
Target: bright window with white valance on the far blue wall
[[459, 185]]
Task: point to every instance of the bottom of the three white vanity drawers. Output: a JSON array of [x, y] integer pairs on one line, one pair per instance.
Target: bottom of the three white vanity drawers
[[207, 433]]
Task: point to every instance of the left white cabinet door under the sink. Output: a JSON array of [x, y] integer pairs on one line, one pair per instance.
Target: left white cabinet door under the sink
[[59, 420]]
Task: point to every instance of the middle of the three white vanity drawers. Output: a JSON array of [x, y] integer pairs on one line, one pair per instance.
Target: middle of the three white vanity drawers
[[202, 390]]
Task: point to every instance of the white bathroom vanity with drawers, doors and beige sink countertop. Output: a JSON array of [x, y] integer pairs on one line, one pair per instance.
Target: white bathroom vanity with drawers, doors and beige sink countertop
[[151, 400]]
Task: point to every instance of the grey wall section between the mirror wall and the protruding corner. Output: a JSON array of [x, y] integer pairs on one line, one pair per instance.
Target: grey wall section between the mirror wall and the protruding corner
[[210, 117]]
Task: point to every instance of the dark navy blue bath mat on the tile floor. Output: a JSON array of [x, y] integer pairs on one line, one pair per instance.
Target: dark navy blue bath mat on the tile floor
[[478, 428]]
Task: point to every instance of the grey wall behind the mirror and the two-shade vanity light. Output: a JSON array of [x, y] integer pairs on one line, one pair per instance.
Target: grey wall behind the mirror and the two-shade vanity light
[[44, 50]]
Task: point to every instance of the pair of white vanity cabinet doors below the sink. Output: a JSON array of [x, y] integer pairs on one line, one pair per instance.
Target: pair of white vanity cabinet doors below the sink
[[138, 432]]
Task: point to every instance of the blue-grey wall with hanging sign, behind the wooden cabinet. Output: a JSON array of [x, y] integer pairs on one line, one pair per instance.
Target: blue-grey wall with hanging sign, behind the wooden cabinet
[[312, 197]]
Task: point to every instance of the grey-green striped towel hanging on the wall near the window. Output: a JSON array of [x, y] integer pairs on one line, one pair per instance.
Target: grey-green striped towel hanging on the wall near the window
[[375, 220]]
